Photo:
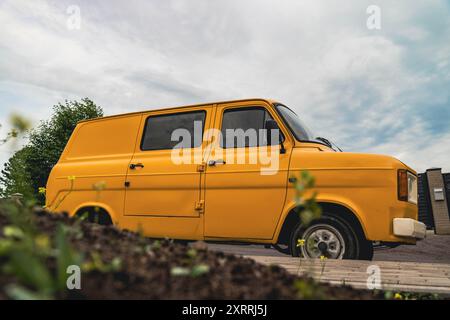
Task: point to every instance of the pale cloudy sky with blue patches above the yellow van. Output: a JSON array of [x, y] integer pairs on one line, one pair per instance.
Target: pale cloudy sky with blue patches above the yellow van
[[380, 91]]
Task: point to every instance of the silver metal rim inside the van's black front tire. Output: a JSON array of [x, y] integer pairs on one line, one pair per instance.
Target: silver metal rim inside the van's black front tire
[[322, 240]]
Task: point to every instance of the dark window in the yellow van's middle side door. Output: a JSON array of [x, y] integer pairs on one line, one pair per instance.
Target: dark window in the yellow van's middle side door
[[159, 130]]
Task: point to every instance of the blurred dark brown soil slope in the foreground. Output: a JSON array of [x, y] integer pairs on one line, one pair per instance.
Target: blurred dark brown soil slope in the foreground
[[166, 270]]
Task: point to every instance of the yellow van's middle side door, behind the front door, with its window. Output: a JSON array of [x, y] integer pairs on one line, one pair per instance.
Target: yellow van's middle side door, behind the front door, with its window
[[164, 177]]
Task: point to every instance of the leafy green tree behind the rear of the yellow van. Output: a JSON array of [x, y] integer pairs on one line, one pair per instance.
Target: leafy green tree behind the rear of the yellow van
[[45, 144]]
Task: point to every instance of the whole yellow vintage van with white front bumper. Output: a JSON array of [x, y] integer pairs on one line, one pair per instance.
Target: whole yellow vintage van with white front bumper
[[134, 171]]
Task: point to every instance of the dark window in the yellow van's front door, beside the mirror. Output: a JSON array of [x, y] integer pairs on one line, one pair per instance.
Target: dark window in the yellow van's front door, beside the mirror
[[241, 127]]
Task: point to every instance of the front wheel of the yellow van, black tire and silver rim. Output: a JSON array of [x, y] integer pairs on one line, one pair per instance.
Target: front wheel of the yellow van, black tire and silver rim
[[330, 237]]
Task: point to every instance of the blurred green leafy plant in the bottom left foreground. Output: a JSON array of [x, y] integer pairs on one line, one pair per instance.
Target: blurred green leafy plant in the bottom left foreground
[[25, 252]]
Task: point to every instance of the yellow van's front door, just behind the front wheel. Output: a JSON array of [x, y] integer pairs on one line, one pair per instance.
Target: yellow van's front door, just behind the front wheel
[[243, 201]]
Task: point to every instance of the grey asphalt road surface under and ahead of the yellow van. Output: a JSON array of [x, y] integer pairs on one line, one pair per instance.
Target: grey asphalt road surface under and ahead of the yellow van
[[434, 249]]
